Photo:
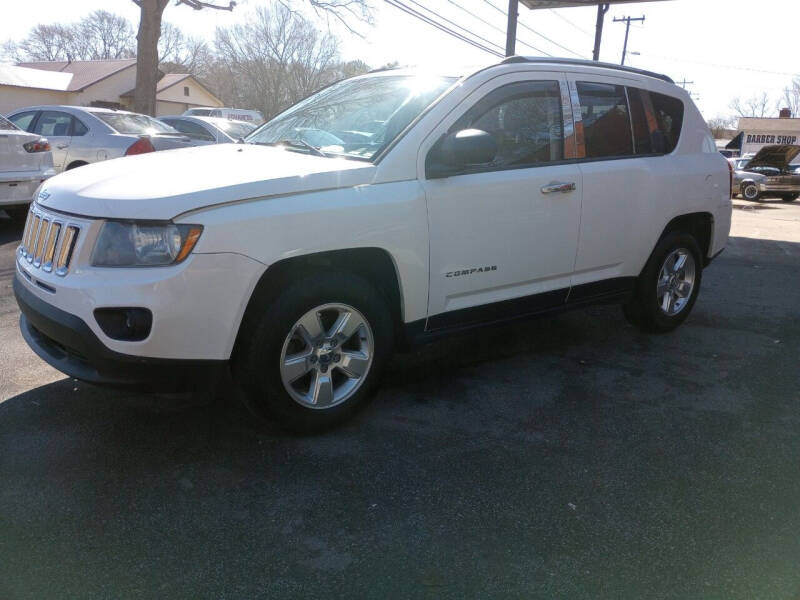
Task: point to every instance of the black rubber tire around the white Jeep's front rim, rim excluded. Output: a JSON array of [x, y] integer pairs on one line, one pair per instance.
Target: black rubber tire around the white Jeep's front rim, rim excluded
[[257, 366]]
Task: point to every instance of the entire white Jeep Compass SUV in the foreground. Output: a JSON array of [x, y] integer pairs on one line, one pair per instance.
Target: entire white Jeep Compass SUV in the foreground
[[384, 210]]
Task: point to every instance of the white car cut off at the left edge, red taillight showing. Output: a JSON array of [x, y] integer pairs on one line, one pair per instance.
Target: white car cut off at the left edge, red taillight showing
[[25, 162]]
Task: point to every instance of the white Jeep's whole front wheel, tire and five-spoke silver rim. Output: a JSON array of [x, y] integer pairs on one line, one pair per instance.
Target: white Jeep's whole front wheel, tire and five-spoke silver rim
[[317, 353]]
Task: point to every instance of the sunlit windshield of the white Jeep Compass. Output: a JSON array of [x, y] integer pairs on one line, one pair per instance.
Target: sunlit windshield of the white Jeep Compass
[[355, 118]]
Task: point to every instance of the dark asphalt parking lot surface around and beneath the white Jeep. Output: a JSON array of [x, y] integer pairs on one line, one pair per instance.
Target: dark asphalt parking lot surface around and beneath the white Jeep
[[571, 457]]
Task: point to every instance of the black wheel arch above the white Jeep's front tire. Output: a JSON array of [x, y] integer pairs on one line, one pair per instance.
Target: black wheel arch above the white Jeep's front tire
[[374, 264]]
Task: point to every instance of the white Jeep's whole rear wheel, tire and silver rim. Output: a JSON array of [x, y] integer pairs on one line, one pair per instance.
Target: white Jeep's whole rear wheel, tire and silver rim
[[668, 286]]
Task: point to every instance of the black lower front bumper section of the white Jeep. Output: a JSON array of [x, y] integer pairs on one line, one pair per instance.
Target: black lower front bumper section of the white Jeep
[[67, 343]]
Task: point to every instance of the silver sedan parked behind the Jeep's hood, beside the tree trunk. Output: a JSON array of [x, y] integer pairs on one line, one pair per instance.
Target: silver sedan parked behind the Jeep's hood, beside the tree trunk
[[80, 135]]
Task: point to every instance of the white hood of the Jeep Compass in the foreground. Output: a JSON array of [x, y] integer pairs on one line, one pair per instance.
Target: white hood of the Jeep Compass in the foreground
[[162, 185]]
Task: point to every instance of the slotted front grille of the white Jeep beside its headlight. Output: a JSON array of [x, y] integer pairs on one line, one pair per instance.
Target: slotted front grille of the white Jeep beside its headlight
[[48, 241]]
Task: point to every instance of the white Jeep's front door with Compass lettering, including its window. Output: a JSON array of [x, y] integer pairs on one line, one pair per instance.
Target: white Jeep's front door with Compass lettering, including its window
[[503, 235]]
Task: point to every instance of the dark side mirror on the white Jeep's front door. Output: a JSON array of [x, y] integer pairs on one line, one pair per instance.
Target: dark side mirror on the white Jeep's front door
[[459, 150]]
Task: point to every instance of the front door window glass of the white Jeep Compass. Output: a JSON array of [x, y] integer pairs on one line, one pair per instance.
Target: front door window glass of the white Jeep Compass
[[525, 120]]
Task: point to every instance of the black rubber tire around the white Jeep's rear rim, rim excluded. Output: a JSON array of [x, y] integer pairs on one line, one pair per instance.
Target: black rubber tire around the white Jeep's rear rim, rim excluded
[[644, 310]]
